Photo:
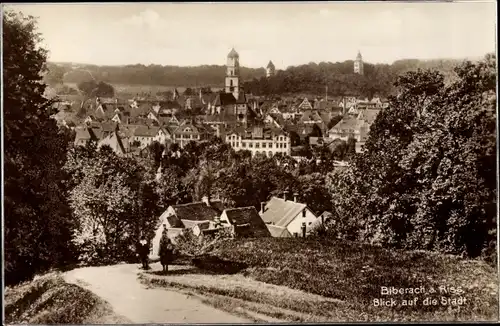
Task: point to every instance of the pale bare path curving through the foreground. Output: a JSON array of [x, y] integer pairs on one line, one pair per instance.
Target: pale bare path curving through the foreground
[[119, 286]]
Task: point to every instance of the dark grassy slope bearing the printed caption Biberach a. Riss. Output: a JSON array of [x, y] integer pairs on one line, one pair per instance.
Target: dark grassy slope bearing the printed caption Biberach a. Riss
[[355, 273]]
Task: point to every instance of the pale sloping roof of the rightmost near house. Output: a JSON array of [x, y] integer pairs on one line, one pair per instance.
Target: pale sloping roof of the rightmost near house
[[280, 212]]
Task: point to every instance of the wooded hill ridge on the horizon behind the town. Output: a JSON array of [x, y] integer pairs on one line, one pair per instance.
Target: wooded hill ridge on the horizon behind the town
[[312, 78]]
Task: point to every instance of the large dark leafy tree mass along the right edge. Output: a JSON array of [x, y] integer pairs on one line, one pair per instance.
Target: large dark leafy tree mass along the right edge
[[426, 179]]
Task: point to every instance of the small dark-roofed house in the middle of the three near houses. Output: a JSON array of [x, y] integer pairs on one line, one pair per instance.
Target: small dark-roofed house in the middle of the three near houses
[[244, 222]]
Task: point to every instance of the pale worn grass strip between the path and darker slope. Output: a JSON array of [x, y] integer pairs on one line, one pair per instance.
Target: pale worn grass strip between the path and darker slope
[[237, 293]]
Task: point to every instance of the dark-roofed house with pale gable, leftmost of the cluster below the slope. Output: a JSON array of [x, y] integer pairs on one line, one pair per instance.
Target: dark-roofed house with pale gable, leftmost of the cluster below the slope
[[177, 218]]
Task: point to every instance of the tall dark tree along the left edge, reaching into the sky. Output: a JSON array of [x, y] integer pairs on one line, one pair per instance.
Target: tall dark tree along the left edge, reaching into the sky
[[37, 218]]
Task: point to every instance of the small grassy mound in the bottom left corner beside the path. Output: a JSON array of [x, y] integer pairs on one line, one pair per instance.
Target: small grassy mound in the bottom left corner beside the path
[[48, 299]]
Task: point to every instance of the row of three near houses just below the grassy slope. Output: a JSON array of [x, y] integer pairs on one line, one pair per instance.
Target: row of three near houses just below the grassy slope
[[279, 217]]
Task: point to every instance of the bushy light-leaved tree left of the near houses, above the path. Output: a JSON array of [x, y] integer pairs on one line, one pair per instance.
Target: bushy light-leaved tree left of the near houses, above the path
[[114, 202]]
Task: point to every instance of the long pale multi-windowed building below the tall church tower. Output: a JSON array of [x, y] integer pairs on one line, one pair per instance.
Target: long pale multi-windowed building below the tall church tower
[[260, 140]]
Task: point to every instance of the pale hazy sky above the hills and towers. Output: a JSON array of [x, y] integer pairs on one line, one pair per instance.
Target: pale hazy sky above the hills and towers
[[286, 33]]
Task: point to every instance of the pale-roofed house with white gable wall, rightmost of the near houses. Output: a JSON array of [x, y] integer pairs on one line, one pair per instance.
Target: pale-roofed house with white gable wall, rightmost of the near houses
[[296, 217]]
